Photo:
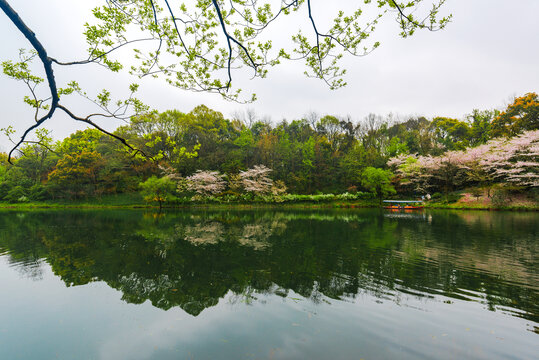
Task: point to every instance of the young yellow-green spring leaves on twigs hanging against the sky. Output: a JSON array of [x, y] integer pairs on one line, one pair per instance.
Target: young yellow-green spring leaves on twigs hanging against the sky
[[200, 45]]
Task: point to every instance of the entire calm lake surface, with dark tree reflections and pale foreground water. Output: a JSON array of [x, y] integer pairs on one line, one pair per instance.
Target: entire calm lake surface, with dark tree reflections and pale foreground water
[[356, 284]]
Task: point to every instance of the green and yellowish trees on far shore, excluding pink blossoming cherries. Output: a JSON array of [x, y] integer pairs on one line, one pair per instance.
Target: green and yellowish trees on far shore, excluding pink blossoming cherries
[[315, 154]]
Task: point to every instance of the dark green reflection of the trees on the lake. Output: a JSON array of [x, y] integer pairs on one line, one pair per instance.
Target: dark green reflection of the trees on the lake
[[193, 259]]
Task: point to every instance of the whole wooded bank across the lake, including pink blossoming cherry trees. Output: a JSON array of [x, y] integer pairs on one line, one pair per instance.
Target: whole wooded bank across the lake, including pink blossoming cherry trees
[[195, 156]]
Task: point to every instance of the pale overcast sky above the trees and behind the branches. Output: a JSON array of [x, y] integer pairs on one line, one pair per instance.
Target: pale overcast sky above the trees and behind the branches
[[487, 55]]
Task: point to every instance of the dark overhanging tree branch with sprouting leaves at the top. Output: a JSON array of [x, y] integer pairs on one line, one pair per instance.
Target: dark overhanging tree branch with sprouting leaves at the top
[[214, 37]]
